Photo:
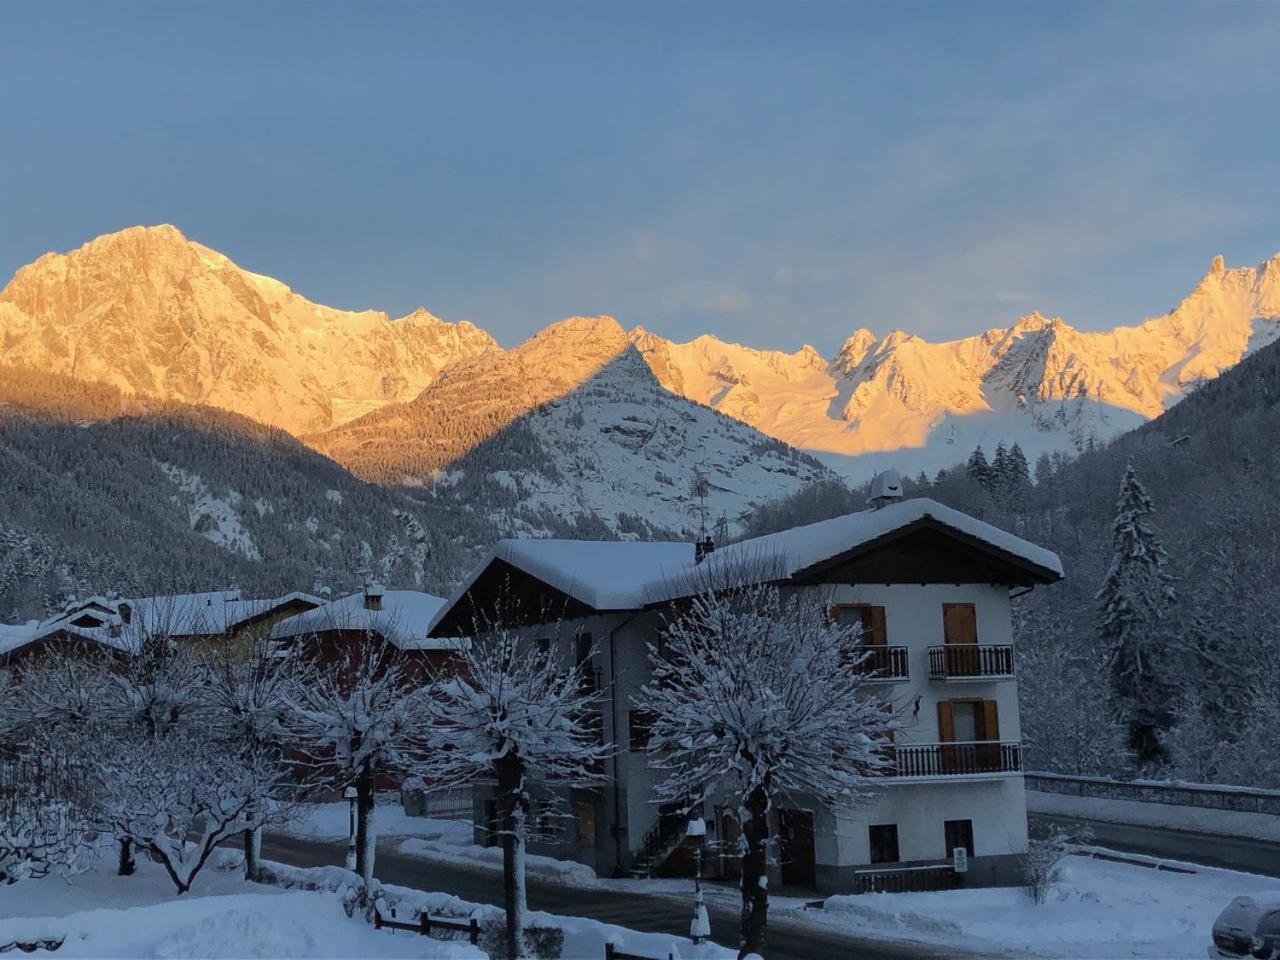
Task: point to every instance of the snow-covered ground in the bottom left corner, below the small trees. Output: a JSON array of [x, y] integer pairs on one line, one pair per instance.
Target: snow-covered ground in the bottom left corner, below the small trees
[[104, 916]]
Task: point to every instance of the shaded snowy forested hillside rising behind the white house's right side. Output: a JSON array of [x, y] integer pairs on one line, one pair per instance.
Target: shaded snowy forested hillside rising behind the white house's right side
[[1209, 467]]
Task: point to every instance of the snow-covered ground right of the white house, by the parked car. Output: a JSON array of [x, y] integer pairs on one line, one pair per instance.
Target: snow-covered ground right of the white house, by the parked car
[[1096, 909]]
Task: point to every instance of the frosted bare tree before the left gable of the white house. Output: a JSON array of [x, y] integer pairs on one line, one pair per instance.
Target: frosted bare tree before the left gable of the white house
[[506, 714]]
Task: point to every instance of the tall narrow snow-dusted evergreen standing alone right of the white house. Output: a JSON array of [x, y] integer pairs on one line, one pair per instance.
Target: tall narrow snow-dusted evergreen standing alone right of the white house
[[1132, 605]]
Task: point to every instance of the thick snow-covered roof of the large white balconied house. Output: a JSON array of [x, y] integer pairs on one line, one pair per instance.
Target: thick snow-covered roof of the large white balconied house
[[615, 575]]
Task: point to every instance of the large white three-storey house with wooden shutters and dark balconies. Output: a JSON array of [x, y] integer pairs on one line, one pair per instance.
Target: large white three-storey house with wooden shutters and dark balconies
[[931, 588]]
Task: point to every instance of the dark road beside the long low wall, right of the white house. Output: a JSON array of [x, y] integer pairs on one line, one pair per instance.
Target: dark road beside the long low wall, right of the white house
[[1208, 849]]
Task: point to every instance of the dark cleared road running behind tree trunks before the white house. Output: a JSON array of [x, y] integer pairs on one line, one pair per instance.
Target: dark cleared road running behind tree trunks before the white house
[[648, 913]]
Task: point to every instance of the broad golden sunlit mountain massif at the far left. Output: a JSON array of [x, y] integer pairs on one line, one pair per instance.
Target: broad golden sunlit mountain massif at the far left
[[163, 318]]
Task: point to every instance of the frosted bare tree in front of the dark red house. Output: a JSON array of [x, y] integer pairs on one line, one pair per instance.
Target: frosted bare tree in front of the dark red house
[[354, 714]]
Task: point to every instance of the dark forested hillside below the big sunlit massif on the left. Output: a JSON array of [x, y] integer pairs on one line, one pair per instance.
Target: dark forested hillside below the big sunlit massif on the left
[[107, 496]]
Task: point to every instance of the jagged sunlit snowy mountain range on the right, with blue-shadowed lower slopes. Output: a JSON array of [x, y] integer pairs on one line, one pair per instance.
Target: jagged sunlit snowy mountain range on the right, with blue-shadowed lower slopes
[[918, 405]]
